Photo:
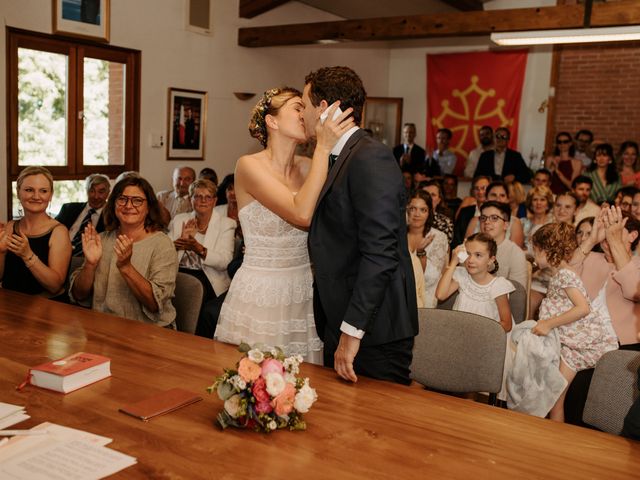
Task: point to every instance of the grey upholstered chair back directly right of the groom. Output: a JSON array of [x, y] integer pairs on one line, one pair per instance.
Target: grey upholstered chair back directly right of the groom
[[459, 352]]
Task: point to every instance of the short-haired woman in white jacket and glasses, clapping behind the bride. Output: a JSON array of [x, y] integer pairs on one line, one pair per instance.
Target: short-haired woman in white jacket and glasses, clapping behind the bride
[[204, 239]]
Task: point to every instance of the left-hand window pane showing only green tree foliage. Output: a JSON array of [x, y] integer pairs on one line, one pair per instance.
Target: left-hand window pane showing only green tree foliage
[[42, 108]]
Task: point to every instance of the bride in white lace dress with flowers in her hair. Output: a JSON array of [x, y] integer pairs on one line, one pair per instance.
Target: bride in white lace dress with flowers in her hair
[[270, 298]]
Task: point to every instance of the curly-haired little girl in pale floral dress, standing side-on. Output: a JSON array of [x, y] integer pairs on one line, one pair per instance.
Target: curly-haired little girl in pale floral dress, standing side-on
[[585, 331]]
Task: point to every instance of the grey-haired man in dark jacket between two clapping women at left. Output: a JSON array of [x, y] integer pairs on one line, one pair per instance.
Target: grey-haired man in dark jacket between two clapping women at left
[[76, 215]]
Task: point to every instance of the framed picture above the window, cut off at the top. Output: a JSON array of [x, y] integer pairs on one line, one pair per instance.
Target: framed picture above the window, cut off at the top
[[82, 18]]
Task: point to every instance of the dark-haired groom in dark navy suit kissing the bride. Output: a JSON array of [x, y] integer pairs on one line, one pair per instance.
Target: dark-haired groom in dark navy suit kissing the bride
[[364, 291]]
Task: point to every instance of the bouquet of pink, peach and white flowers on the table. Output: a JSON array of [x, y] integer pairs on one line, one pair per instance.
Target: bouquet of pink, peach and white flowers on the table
[[263, 392]]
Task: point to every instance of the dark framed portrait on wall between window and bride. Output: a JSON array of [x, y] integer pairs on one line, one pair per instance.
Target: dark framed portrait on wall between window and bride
[[187, 124]]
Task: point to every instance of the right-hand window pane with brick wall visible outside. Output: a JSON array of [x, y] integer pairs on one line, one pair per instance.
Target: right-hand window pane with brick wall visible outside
[[104, 101]]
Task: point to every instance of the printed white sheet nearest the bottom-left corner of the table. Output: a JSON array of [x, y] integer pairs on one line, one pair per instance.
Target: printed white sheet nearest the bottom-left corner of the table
[[65, 460]]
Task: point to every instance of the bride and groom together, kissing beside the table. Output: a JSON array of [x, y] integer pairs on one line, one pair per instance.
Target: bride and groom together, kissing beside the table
[[357, 311]]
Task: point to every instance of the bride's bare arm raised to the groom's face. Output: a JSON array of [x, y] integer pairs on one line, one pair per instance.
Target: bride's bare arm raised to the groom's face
[[296, 209]]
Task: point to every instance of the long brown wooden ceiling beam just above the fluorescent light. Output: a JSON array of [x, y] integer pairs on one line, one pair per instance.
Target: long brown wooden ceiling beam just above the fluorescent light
[[623, 12]]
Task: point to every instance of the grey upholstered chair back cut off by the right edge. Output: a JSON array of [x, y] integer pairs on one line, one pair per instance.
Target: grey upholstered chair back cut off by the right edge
[[613, 389]]
